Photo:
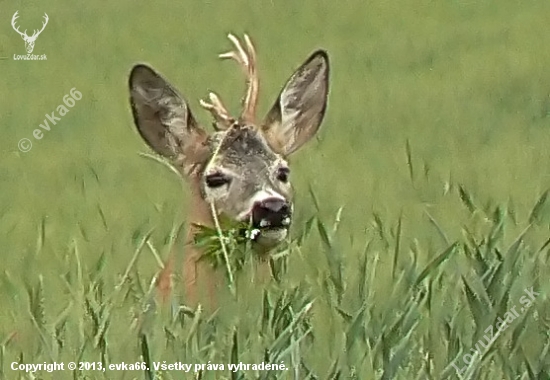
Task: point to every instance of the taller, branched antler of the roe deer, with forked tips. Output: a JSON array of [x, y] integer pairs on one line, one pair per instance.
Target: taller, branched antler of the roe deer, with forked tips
[[247, 59]]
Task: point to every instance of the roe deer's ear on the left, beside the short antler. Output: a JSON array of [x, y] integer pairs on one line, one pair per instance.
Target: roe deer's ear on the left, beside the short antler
[[163, 117]]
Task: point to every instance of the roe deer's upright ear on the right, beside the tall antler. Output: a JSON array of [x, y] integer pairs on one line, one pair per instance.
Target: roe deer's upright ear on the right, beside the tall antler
[[299, 110]]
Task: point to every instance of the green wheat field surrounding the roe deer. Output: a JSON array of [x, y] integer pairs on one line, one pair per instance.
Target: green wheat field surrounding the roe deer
[[422, 214]]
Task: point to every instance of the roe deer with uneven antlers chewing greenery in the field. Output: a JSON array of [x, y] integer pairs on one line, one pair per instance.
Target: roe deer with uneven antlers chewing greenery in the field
[[240, 170]]
